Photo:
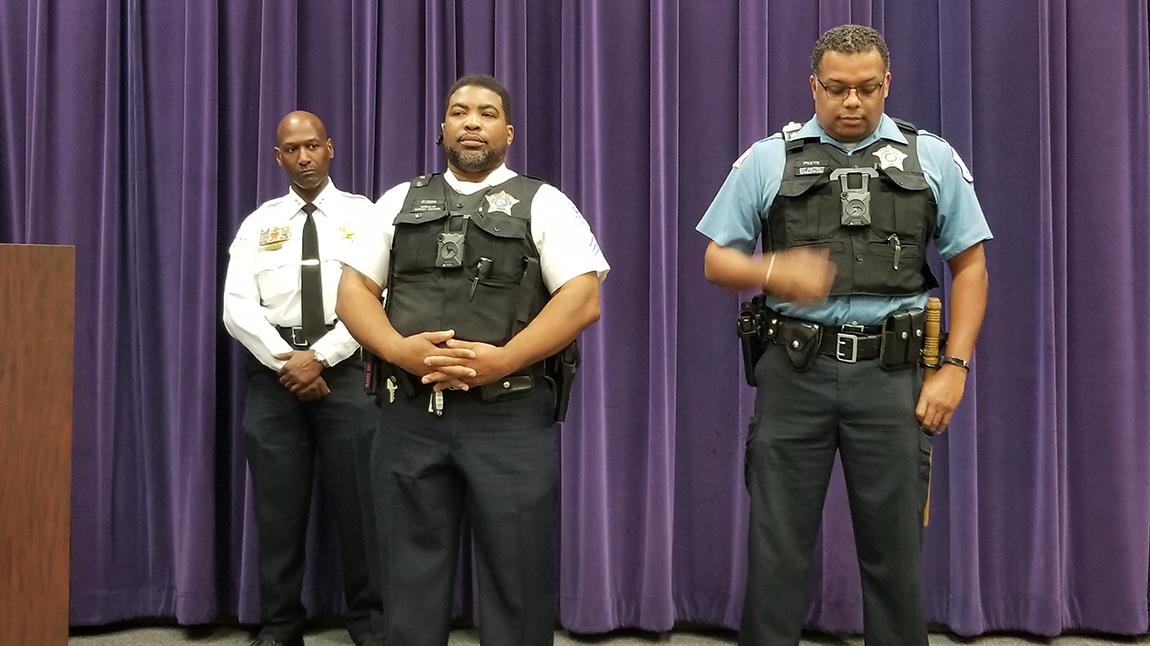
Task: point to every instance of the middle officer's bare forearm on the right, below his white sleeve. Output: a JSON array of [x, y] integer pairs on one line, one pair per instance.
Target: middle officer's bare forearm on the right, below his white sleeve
[[571, 310]]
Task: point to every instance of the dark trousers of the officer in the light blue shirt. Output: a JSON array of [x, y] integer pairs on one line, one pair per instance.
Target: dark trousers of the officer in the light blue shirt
[[802, 420]]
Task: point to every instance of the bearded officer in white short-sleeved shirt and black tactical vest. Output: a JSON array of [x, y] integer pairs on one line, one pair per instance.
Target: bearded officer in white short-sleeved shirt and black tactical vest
[[490, 278]]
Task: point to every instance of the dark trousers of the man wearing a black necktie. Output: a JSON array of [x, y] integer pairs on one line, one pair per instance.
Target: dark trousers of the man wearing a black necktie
[[285, 440]]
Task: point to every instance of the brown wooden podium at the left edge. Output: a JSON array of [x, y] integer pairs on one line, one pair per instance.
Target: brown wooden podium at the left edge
[[37, 321]]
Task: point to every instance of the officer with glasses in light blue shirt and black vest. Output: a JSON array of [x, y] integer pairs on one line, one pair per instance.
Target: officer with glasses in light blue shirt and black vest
[[846, 206]]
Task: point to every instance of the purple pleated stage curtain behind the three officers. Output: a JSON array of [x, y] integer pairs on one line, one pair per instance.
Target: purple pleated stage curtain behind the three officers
[[142, 133]]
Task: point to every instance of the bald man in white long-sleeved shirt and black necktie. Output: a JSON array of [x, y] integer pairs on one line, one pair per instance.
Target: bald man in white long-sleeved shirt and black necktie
[[305, 399]]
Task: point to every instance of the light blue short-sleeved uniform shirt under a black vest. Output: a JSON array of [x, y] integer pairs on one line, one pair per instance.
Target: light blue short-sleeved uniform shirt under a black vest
[[737, 216]]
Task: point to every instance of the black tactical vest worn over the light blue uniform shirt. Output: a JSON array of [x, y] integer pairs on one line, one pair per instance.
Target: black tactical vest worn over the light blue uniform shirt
[[886, 256]]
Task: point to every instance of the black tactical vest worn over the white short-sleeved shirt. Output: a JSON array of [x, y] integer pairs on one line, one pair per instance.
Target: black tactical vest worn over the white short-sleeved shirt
[[466, 263]]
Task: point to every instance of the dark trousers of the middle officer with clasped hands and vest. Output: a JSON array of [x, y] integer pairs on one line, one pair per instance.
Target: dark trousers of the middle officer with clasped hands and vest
[[499, 464]]
